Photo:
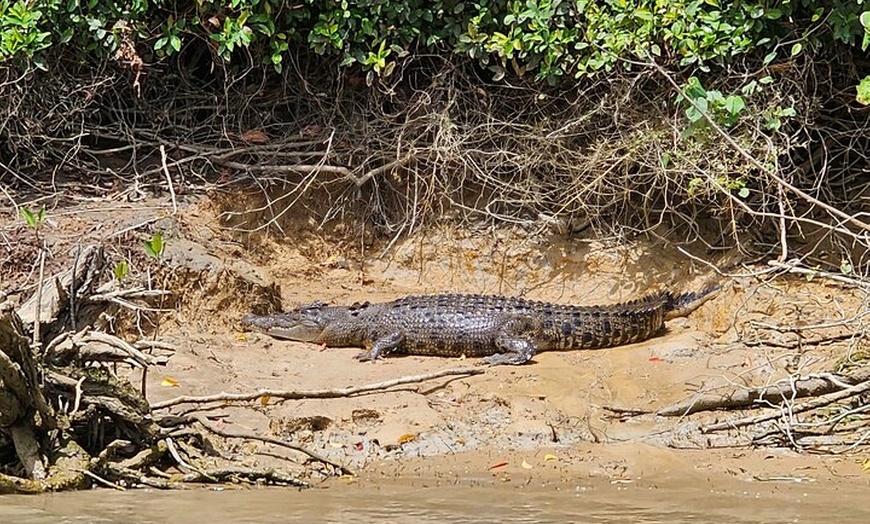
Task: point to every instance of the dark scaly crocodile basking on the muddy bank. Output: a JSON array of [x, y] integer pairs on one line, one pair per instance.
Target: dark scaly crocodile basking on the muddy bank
[[504, 330]]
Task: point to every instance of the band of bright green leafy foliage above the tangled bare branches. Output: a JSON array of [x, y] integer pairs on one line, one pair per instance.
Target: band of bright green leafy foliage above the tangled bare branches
[[552, 40]]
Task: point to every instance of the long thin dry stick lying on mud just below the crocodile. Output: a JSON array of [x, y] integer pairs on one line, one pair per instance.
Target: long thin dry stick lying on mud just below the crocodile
[[316, 393]]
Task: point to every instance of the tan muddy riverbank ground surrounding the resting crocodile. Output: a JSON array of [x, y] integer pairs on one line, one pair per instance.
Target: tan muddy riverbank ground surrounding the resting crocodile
[[562, 416]]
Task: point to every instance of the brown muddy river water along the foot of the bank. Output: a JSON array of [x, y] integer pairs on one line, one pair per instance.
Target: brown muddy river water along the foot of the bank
[[421, 501]]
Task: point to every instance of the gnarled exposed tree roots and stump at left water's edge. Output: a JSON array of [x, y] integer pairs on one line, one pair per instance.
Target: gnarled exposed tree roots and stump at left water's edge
[[59, 402]]
